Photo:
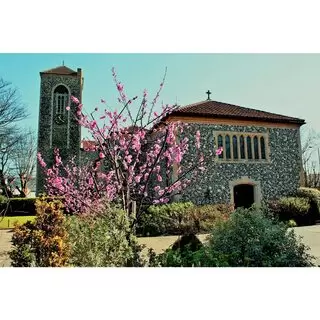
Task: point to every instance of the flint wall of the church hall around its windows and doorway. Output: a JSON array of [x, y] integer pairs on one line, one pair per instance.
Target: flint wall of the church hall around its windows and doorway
[[277, 177]]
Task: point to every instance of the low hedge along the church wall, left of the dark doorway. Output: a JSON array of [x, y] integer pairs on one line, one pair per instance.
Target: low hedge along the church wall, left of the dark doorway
[[180, 218]]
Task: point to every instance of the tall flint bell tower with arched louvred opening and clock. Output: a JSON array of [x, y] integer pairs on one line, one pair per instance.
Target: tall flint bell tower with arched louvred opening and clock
[[58, 128]]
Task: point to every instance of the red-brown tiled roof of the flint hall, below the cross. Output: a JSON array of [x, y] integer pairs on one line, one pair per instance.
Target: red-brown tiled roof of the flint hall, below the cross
[[215, 109]]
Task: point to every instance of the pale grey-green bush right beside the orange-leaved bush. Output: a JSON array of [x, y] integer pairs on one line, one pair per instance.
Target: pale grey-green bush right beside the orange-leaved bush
[[103, 240]]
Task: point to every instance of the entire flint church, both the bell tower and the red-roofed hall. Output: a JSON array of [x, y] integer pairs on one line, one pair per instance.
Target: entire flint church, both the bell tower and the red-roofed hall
[[261, 156]]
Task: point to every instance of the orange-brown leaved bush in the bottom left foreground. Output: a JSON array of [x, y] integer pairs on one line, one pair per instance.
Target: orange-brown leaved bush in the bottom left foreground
[[44, 242]]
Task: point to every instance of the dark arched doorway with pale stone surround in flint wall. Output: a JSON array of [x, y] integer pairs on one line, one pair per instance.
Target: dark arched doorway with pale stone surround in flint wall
[[244, 192]]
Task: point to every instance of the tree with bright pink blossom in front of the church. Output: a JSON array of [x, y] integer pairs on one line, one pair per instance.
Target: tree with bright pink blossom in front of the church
[[139, 157]]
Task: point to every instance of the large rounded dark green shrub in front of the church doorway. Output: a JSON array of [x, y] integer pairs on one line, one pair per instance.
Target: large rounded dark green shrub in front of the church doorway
[[251, 239]]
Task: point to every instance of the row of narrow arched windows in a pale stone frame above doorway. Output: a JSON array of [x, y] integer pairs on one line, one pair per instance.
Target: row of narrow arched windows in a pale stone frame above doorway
[[243, 146]]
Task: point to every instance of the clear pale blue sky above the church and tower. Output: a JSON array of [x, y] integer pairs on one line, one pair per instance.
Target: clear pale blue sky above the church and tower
[[288, 84]]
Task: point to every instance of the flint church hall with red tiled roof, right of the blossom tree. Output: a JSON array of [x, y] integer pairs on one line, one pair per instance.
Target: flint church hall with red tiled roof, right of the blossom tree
[[261, 158]]
